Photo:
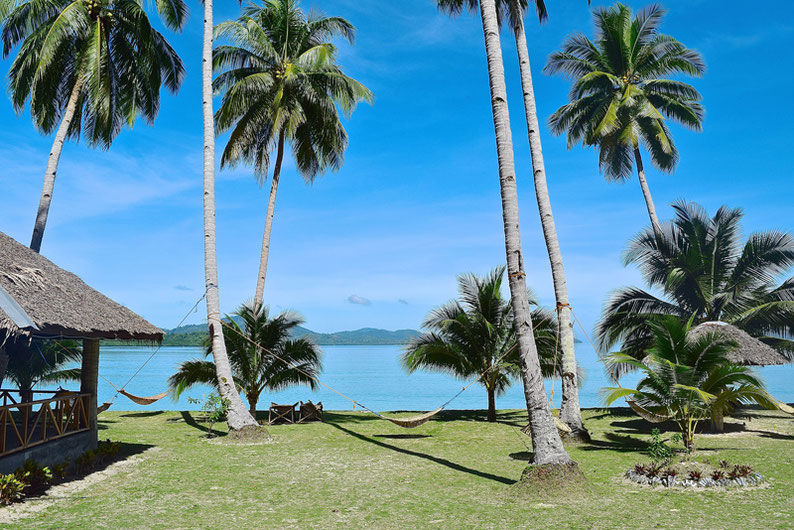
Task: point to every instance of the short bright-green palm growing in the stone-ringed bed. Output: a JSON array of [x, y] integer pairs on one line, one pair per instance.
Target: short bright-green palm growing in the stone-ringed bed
[[689, 379]]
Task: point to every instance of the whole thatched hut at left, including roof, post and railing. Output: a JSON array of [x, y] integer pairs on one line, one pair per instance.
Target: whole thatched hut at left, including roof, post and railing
[[38, 299]]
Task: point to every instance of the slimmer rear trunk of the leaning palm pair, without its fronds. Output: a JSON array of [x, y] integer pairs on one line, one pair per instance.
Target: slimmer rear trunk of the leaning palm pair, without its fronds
[[570, 413]]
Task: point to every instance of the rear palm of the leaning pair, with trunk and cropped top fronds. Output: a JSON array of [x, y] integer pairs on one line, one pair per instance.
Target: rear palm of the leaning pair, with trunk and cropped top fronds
[[512, 13]]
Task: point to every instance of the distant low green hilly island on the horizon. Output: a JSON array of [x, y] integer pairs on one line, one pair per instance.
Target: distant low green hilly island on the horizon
[[195, 334]]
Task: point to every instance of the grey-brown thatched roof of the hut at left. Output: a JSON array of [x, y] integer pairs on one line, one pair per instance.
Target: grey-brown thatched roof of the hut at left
[[59, 303]]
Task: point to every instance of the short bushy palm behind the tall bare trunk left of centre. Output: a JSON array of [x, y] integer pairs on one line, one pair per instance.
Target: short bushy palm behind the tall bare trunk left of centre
[[251, 348]]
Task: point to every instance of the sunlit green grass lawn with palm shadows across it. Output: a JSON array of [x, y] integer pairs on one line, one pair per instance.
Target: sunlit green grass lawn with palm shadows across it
[[455, 471]]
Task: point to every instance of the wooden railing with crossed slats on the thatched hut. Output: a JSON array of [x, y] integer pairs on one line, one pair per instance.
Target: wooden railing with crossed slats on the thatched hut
[[26, 424]]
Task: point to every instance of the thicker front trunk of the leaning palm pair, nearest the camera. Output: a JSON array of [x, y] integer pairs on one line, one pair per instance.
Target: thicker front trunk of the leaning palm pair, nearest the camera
[[546, 442]]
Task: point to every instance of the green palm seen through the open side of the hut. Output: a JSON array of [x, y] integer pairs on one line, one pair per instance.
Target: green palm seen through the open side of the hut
[[31, 363]]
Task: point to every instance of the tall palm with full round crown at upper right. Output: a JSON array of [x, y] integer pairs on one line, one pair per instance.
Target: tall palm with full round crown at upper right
[[621, 97]]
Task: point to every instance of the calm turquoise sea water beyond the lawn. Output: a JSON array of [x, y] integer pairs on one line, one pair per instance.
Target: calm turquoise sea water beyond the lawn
[[371, 375]]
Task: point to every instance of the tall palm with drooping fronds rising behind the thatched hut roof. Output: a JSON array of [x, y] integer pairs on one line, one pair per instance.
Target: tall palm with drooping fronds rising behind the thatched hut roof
[[90, 65]]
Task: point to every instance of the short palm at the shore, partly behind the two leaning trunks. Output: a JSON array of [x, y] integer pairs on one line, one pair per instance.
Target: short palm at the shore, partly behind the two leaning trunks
[[475, 336]]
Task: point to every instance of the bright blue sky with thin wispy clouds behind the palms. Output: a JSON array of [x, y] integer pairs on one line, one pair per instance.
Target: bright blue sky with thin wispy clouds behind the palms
[[379, 243]]
